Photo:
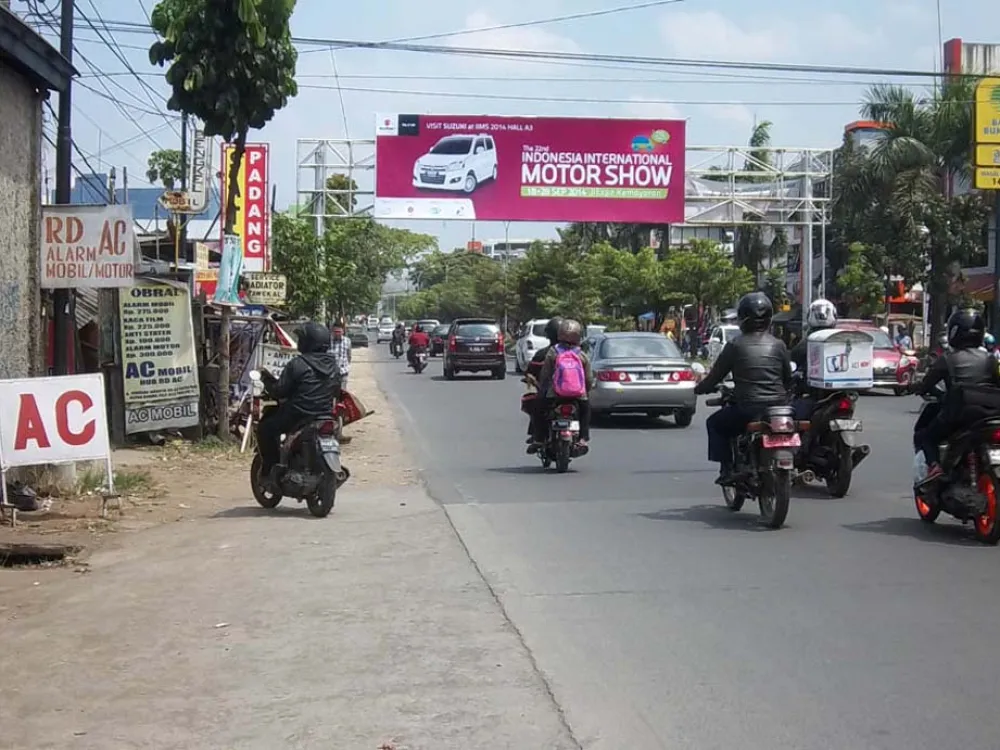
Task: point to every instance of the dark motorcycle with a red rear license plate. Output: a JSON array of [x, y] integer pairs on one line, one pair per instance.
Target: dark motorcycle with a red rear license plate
[[765, 461]]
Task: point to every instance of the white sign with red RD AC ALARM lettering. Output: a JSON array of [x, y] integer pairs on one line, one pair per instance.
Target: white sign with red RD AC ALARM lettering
[[87, 247]]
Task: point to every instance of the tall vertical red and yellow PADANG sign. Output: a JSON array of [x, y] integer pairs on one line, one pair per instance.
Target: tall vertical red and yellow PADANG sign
[[252, 221]]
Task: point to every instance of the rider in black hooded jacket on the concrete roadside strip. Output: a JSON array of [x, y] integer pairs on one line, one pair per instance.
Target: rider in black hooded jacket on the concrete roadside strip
[[308, 386]]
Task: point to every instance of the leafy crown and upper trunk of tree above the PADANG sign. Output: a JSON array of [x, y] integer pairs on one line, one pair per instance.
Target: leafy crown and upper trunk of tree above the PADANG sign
[[231, 65]]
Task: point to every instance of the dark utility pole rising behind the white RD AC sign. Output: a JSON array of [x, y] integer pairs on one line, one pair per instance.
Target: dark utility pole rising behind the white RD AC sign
[[64, 165]]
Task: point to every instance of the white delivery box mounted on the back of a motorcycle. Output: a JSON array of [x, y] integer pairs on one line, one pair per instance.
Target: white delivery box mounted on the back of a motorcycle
[[840, 360]]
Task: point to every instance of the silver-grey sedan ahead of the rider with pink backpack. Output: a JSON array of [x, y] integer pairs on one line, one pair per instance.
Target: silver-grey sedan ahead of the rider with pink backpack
[[640, 372]]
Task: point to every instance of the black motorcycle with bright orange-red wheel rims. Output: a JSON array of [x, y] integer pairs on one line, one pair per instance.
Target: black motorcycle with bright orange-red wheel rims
[[970, 485]]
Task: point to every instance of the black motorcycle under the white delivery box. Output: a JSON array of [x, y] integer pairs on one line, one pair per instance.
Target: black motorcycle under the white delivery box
[[831, 448]]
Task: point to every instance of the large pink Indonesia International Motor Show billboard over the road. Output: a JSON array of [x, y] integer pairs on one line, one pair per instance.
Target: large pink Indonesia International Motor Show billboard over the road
[[557, 169]]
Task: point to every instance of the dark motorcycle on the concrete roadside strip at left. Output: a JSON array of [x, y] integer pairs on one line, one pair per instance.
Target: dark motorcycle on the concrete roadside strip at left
[[309, 468]]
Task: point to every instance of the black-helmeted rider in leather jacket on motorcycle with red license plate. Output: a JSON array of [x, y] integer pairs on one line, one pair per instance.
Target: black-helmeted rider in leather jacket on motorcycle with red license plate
[[762, 377]]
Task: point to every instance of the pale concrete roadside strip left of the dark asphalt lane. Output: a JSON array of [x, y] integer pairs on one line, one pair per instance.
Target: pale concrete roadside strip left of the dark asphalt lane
[[262, 630]]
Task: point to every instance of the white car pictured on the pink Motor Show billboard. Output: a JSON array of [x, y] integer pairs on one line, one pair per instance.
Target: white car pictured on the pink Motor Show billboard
[[458, 163]]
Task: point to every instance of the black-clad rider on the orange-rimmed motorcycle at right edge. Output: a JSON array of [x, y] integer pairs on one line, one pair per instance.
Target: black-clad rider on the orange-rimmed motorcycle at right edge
[[963, 365]]
